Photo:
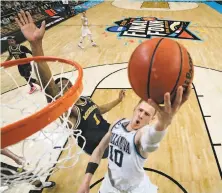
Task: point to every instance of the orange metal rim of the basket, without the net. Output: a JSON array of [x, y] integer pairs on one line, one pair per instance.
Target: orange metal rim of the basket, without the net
[[23, 128]]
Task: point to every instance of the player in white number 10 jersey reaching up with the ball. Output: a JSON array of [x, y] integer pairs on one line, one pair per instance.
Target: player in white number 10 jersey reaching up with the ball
[[130, 143]]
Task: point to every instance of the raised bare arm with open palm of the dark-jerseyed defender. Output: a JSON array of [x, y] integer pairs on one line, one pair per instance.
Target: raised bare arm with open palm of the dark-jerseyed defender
[[35, 36]]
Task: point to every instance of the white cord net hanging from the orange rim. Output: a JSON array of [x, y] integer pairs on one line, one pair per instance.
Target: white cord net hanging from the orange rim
[[41, 150]]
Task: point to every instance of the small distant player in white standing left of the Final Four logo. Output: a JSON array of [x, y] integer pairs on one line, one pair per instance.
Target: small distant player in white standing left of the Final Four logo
[[85, 31]]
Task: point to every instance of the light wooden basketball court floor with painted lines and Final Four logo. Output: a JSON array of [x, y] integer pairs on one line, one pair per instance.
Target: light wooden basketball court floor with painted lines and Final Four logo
[[189, 159]]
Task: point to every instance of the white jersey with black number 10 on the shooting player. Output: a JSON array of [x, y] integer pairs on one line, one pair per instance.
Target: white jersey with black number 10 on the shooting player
[[125, 168]]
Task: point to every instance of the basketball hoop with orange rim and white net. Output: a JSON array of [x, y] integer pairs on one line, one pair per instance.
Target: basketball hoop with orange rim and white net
[[40, 122]]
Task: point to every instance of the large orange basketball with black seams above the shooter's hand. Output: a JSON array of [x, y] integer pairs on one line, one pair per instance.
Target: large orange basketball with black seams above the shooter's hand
[[158, 66]]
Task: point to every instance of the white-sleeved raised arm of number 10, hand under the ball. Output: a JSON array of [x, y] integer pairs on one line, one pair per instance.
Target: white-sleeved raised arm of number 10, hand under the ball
[[149, 137]]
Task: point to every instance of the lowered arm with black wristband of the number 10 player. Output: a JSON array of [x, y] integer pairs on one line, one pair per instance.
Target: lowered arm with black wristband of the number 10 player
[[94, 162]]
